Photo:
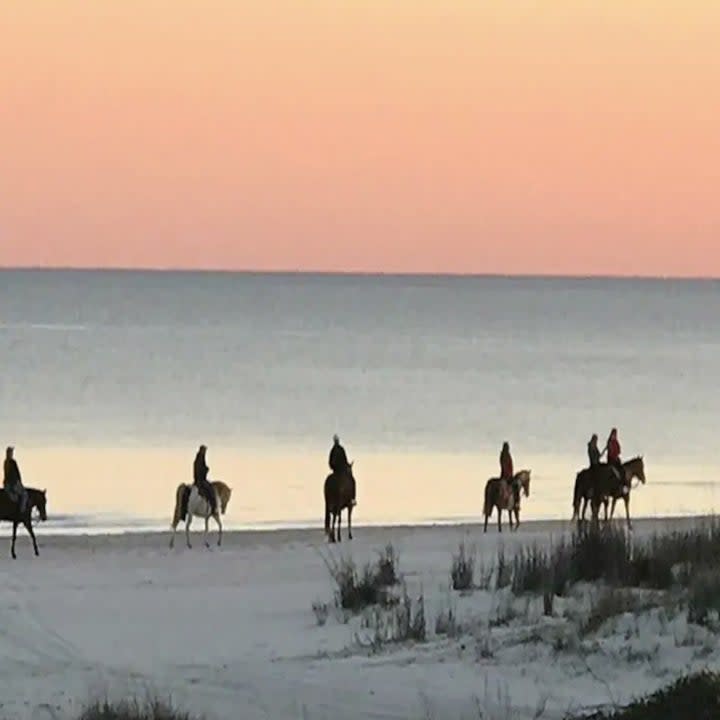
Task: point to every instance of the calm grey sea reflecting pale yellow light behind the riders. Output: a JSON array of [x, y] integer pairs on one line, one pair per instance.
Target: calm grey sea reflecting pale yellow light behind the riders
[[110, 380]]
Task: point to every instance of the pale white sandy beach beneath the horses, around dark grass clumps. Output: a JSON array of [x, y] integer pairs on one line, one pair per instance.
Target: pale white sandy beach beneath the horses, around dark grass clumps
[[230, 632]]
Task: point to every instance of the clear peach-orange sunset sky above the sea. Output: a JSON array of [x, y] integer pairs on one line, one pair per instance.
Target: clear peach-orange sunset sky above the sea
[[458, 136]]
